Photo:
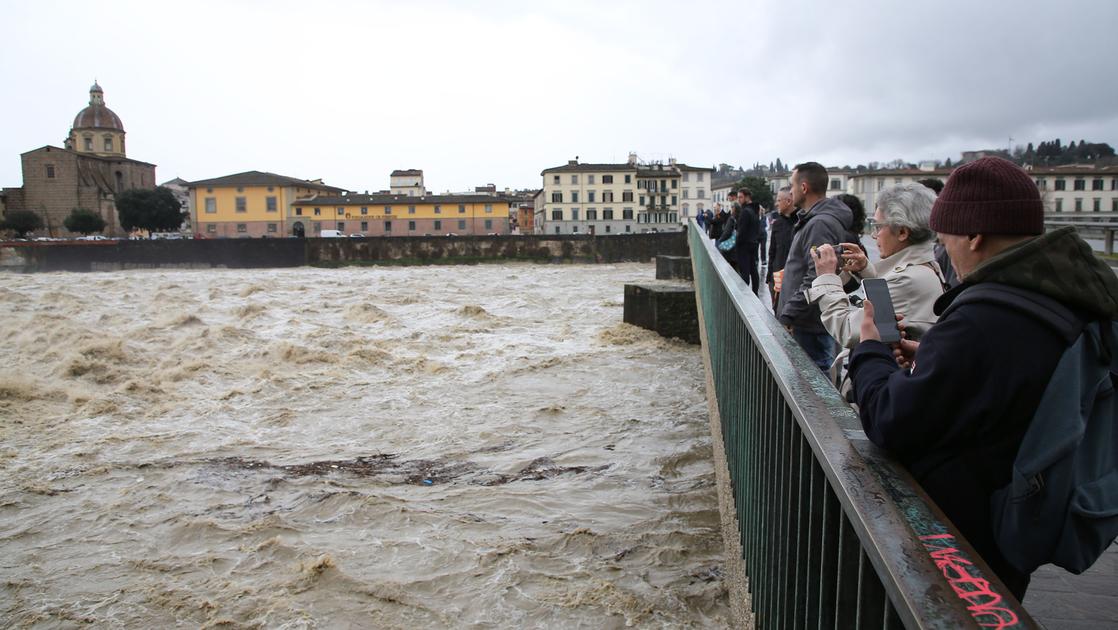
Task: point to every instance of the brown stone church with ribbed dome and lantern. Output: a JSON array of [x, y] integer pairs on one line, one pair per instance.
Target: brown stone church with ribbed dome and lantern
[[88, 173]]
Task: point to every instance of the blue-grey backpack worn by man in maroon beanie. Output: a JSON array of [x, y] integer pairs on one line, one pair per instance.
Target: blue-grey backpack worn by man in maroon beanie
[[1062, 504]]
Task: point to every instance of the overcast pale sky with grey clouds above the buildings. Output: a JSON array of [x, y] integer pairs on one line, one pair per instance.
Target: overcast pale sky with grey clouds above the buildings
[[495, 92]]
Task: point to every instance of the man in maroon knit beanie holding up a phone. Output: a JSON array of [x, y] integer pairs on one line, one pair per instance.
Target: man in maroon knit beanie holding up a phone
[[955, 407]]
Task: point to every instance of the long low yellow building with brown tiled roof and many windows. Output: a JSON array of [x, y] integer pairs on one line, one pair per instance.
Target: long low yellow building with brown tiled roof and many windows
[[402, 215]]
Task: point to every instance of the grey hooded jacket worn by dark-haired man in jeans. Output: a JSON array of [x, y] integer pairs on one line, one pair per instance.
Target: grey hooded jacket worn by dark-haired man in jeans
[[828, 223]]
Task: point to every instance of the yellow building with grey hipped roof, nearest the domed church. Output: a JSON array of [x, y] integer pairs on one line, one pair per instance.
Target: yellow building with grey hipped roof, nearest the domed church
[[251, 205]]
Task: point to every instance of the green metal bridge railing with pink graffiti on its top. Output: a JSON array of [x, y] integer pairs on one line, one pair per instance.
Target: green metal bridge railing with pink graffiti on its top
[[835, 533]]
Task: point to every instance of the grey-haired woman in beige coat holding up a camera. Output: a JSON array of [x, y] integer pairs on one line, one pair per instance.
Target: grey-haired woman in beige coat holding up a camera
[[908, 264]]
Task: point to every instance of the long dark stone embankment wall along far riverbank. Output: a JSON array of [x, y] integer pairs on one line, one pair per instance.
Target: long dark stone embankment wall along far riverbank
[[110, 255]]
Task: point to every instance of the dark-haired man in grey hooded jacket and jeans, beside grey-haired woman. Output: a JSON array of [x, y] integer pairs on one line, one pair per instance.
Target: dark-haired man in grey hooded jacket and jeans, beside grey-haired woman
[[822, 222]]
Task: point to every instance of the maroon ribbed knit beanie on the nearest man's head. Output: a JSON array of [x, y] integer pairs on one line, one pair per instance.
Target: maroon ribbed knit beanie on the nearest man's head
[[990, 196]]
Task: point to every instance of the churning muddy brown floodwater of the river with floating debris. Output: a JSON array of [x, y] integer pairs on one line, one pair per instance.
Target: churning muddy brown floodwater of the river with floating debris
[[420, 447]]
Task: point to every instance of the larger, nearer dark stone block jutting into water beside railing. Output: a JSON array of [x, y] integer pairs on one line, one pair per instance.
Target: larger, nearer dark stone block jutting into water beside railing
[[667, 309]]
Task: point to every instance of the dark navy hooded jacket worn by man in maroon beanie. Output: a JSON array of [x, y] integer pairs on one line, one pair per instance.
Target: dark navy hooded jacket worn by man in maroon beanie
[[958, 421]]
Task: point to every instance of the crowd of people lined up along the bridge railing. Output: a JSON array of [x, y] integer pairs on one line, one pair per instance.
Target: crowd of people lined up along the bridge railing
[[989, 306]]
